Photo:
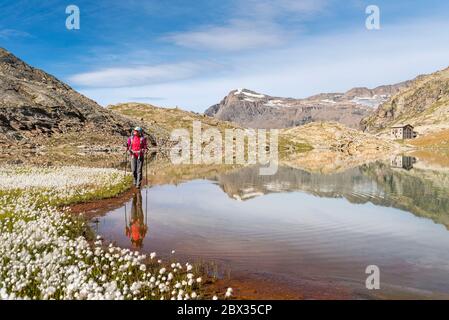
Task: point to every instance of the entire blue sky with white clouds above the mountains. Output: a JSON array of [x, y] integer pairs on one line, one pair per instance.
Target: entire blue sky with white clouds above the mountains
[[192, 53]]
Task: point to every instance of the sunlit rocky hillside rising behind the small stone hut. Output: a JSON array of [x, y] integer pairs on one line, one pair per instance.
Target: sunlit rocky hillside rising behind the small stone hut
[[424, 104]]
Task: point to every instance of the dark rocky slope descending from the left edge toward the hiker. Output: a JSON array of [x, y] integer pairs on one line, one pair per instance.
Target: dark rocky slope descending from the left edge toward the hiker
[[37, 109]]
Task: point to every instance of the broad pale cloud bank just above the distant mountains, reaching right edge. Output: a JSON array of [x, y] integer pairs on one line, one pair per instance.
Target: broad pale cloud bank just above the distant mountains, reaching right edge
[[327, 63]]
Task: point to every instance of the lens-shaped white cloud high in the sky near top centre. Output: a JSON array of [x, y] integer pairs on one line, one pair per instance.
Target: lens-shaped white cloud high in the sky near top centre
[[236, 36]]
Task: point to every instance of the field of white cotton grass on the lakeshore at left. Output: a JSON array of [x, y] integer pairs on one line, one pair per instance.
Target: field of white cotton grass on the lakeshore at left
[[44, 255]]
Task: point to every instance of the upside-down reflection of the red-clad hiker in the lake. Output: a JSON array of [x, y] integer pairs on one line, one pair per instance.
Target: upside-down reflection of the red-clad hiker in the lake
[[137, 228]]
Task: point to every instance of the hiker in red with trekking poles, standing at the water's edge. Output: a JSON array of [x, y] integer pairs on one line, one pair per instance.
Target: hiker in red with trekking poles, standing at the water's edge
[[137, 147]]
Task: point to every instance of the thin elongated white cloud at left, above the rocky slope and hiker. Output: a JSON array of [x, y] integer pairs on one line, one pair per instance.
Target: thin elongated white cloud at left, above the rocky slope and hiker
[[137, 75]]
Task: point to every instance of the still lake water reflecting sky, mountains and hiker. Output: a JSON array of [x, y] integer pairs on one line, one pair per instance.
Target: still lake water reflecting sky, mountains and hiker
[[297, 226]]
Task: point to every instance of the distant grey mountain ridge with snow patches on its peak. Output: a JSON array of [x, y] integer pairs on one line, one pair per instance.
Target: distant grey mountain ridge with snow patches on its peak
[[252, 109]]
